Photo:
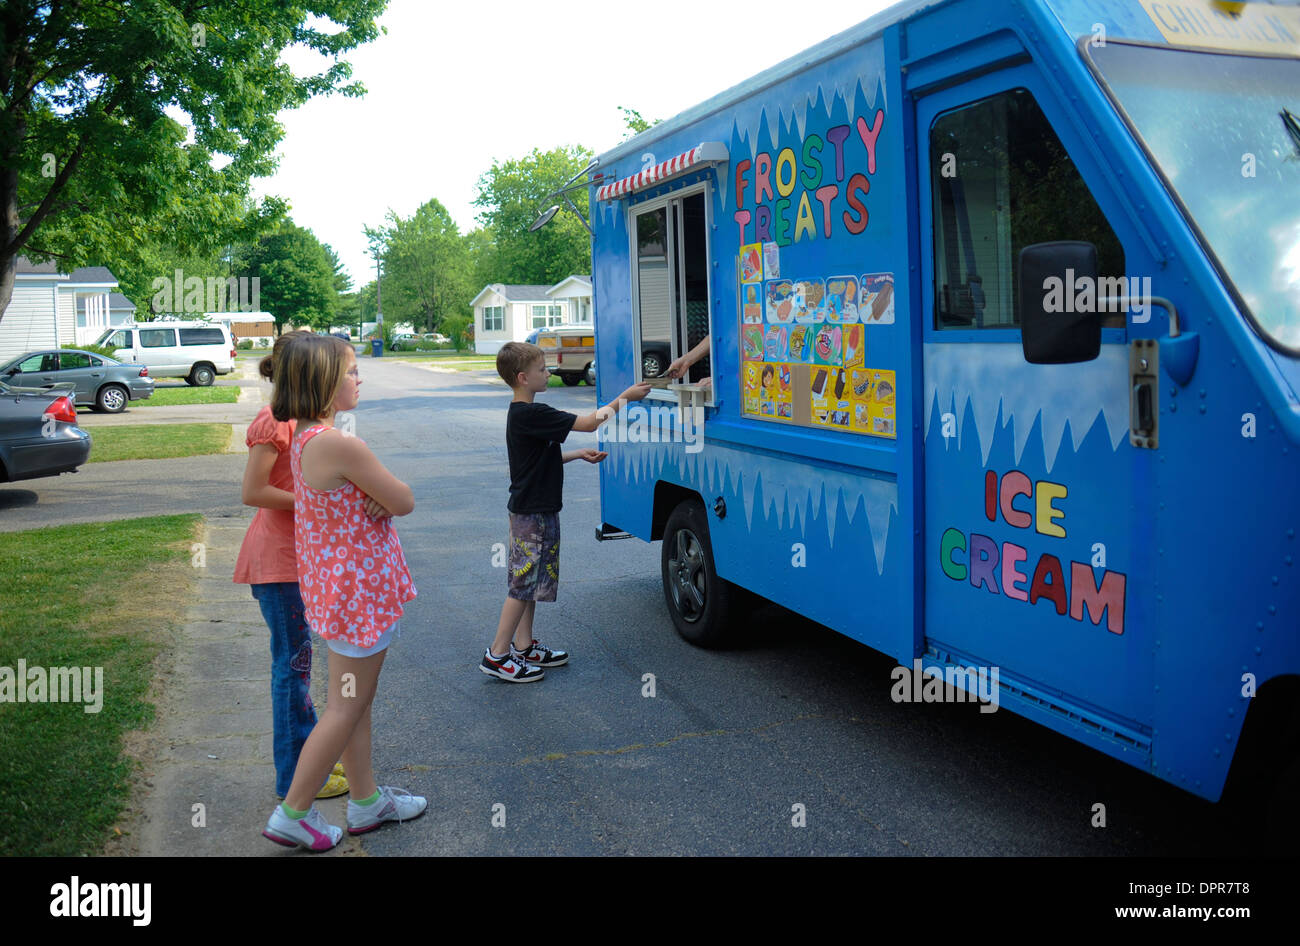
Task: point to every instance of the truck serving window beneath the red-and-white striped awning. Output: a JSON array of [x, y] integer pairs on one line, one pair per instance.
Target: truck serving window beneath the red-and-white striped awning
[[673, 284]]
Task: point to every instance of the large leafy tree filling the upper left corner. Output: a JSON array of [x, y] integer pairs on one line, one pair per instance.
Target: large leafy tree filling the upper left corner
[[93, 168]]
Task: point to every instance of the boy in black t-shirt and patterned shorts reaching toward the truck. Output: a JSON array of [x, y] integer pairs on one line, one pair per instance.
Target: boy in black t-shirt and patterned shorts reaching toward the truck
[[534, 439]]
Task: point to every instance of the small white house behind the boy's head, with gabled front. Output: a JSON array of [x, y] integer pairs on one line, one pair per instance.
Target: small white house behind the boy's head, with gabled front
[[510, 314]]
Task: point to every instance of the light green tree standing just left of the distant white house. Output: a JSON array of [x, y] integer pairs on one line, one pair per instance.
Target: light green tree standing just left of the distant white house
[[427, 267]]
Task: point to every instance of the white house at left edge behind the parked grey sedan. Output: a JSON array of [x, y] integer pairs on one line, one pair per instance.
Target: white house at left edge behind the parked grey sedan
[[50, 310]]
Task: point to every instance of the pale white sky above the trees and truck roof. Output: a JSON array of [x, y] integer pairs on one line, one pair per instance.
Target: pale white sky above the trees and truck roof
[[454, 88]]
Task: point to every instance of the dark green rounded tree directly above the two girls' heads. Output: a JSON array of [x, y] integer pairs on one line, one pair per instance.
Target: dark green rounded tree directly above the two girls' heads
[[297, 279]]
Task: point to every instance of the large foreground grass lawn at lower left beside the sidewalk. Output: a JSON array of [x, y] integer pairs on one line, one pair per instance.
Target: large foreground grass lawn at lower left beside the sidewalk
[[98, 596]]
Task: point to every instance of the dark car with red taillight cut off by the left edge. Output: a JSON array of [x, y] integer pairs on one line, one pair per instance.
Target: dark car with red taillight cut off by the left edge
[[40, 436]]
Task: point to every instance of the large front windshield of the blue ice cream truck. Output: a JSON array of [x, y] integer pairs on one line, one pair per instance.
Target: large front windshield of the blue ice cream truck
[[1225, 132]]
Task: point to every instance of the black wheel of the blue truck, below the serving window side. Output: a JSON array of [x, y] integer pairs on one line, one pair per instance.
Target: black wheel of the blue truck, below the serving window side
[[701, 605]]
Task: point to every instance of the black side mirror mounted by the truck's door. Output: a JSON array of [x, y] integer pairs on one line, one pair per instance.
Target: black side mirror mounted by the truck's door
[[1058, 297]]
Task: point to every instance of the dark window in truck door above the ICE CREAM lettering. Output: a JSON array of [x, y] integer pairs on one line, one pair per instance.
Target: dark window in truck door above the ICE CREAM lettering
[[1002, 181]]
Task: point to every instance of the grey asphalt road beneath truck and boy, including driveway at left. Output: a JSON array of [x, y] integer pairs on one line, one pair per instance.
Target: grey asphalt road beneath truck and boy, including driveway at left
[[735, 750]]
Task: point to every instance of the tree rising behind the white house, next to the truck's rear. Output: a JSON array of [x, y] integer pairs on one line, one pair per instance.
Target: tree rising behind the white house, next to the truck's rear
[[513, 194]]
